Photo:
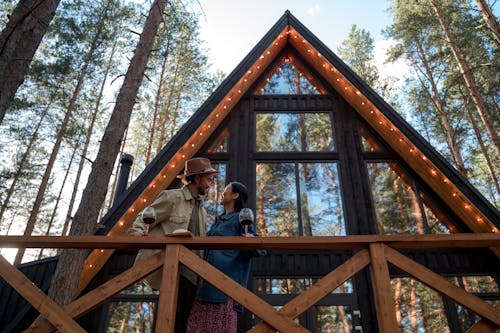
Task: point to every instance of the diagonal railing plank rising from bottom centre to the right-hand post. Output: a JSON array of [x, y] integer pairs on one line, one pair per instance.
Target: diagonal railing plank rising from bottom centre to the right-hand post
[[320, 289]]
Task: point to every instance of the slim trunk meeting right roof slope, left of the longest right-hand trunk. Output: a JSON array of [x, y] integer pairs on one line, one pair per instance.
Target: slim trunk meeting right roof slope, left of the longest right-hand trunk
[[440, 108]]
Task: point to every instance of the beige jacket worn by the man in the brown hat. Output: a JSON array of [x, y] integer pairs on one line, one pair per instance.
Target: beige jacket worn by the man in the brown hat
[[173, 211]]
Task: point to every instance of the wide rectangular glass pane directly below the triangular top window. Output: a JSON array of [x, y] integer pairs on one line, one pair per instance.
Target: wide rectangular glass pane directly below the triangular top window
[[294, 132]]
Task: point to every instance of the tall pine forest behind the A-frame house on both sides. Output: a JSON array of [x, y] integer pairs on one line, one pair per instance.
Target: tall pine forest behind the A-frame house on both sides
[[52, 130]]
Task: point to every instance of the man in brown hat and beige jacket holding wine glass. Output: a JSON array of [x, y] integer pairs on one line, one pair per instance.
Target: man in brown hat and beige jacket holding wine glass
[[179, 209]]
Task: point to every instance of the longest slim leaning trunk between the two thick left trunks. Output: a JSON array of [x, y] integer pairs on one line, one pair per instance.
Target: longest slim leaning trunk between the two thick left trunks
[[69, 111]]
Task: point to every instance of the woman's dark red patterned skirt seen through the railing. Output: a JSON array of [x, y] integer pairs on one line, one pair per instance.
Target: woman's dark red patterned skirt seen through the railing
[[208, 317]]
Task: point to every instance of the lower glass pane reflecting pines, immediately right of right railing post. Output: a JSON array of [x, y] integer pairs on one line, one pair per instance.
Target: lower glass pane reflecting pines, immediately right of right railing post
[[418, 308]]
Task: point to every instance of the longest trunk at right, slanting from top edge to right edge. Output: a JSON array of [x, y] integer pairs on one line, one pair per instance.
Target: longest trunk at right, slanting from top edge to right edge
[[468, 78]]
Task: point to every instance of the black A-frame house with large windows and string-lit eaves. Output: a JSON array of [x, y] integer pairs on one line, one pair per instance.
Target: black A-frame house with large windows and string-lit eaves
[[322, 155]]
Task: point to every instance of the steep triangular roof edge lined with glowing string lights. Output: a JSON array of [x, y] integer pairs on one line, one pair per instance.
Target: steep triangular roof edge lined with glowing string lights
[[462, 198]]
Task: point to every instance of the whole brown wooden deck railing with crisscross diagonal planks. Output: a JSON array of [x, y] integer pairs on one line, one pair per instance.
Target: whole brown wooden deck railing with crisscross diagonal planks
[[373, 250]]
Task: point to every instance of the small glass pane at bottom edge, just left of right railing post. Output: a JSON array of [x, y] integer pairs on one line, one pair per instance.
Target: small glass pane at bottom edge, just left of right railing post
[[333, 319]]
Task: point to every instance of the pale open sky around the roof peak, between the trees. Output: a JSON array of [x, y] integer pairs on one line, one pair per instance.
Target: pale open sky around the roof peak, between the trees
[[232, 28]]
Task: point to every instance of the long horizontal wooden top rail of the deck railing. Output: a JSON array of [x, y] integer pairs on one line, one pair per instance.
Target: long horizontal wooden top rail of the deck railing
[[473, 240]]
